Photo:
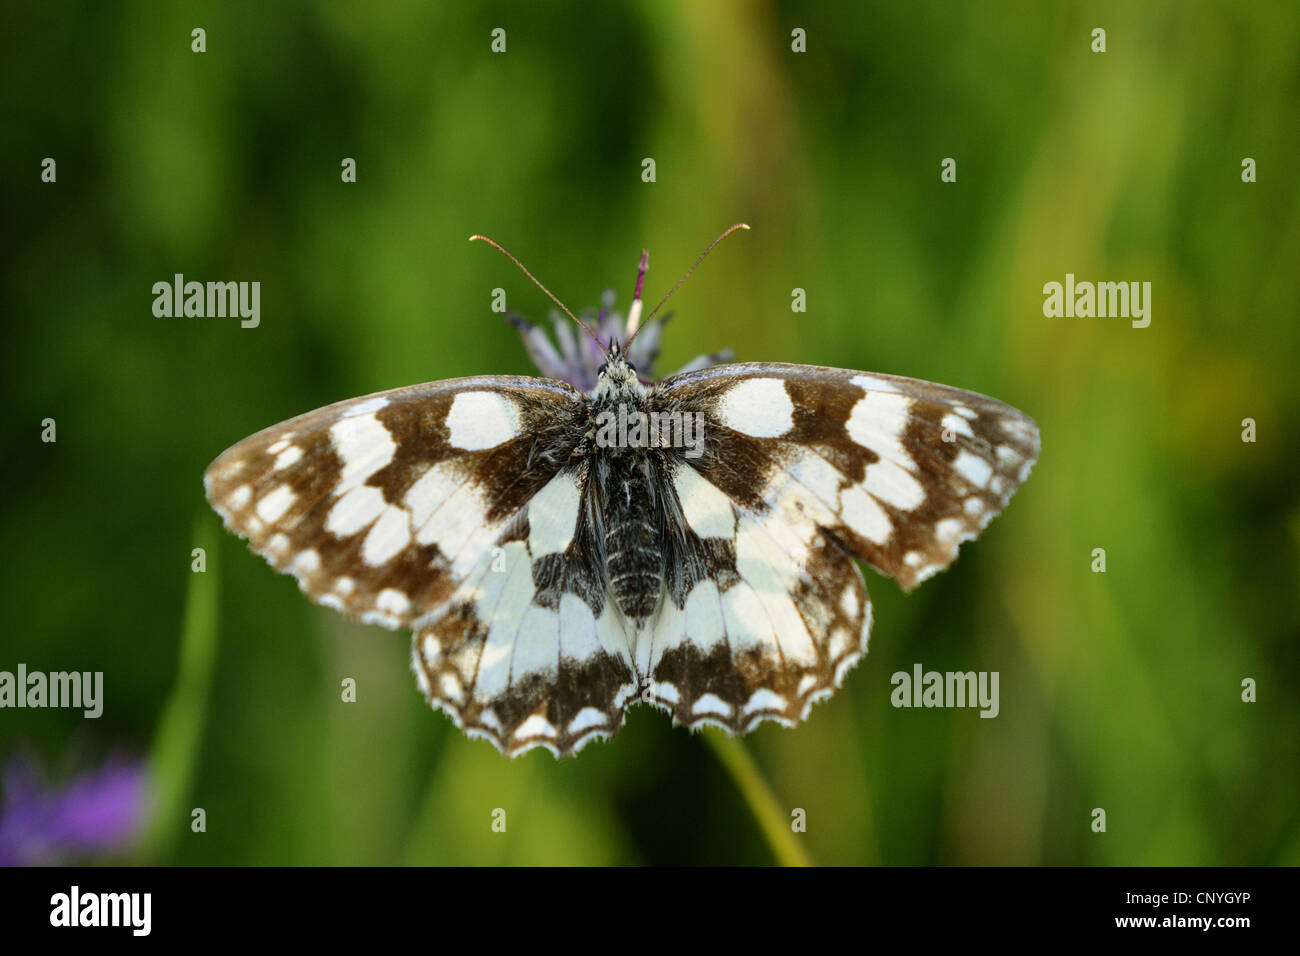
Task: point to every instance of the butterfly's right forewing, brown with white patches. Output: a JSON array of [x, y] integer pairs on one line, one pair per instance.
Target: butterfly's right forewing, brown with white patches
[[900, 471]]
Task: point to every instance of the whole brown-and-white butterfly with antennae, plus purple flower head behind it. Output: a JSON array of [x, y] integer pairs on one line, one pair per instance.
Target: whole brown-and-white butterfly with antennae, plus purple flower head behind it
[[556, 570]]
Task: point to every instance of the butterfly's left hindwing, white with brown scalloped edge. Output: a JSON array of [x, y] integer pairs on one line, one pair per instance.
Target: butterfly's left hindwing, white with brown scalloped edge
[[530, 651]]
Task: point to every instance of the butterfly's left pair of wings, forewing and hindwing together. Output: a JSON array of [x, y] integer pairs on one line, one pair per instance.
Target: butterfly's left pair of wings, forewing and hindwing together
[[453, 509]]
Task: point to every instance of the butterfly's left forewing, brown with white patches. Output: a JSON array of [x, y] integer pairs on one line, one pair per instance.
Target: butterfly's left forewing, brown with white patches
[[382, 507]]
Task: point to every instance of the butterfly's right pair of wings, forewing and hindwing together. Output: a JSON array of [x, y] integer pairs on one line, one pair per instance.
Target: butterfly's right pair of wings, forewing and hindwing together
[[803, 470]]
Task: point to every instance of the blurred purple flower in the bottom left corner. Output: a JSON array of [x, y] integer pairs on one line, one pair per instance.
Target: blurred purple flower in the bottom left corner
[[94, 815]]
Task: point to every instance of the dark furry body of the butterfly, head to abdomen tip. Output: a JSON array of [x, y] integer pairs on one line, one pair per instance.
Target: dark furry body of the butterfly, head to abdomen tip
[[625, 468]]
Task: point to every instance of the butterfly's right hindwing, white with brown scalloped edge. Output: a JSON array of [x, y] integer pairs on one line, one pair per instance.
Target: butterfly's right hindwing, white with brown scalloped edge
[[762, 615]]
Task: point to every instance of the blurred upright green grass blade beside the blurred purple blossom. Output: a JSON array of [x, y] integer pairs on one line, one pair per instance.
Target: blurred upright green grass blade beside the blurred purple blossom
[[181, 726]]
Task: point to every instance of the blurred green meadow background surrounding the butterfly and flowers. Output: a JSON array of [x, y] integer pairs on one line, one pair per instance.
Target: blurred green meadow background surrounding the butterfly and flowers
[[1119, 690]]
